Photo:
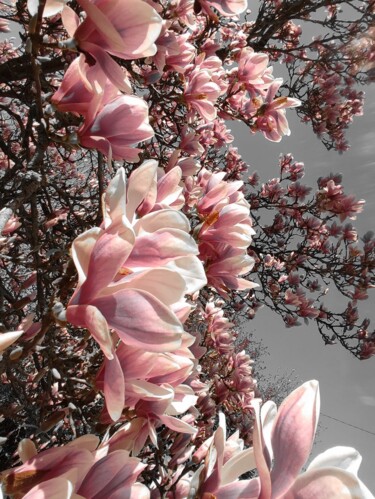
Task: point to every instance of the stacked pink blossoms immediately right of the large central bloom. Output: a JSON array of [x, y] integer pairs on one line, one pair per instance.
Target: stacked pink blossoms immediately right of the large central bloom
[[225, 232]]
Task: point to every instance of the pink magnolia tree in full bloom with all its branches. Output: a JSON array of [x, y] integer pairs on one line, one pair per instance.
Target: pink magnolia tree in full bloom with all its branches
[[129, 254]]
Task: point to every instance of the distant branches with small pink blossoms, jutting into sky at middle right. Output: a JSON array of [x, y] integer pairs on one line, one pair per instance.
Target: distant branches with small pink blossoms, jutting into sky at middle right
[[288, 272]]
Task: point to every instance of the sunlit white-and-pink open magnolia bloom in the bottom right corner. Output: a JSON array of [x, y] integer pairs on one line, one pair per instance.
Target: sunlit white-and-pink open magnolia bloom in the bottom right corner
[[282, 443]]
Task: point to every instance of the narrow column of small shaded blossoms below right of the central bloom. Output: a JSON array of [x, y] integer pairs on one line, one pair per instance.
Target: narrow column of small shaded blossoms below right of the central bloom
[[225, 371]]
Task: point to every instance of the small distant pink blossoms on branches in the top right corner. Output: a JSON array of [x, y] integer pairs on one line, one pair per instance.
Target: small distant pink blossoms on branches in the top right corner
[[325, 71]]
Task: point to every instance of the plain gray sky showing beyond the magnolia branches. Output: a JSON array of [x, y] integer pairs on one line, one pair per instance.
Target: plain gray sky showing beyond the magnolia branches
[[347, 385]]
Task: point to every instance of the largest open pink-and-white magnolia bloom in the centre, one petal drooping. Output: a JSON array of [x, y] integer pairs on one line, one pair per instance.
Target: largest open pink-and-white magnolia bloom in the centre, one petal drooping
[[134, 273]]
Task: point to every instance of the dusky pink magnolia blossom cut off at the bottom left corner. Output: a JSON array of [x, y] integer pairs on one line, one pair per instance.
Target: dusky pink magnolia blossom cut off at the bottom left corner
[[75, 470]]
